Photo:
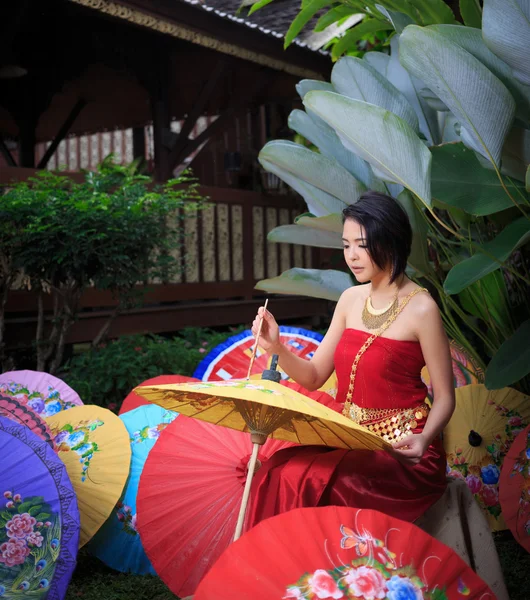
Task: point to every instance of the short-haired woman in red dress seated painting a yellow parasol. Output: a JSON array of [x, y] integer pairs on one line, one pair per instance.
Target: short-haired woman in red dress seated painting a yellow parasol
[[380, 337]]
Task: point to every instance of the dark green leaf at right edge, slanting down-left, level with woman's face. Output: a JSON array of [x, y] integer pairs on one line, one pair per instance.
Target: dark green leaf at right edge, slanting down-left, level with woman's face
[[472, 269]]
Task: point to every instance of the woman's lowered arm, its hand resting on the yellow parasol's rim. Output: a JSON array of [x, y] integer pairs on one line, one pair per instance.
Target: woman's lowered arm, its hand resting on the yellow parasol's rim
[[435, 348]]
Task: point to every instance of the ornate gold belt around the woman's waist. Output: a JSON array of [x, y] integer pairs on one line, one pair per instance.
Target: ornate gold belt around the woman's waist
[[392, 424]]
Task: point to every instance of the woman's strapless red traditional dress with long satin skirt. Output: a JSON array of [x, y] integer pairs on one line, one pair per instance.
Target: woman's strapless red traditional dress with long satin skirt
[[388, 390]]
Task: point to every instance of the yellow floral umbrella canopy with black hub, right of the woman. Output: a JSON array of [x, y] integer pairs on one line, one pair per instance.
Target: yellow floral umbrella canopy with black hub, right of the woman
[[477, 438]]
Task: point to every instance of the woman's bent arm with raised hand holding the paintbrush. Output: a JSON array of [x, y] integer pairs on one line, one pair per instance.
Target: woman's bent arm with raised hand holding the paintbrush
[[312, 373]]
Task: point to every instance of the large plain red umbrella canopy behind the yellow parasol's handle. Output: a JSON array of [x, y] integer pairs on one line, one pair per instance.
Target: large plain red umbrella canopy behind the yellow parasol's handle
[[196, 472]]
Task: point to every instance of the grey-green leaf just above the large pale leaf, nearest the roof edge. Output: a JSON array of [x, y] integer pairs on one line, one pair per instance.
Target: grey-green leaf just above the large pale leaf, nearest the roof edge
[[355, 78]]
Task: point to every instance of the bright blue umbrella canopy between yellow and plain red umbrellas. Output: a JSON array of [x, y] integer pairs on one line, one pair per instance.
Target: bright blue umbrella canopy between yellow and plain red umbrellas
[[118, 542]]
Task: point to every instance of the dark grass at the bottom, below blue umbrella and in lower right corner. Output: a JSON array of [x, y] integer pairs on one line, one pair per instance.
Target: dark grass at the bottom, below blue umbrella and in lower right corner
[[92, 580]]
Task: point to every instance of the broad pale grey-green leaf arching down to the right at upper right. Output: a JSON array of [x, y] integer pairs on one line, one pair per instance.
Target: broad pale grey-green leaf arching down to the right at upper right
[[474, 95]]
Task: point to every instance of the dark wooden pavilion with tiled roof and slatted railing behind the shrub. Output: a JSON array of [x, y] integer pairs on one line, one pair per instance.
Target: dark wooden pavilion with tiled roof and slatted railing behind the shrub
[[163, 79]]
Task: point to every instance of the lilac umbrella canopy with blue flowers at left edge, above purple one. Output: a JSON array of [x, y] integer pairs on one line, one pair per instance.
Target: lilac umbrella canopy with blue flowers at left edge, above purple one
[[43, 393]]
